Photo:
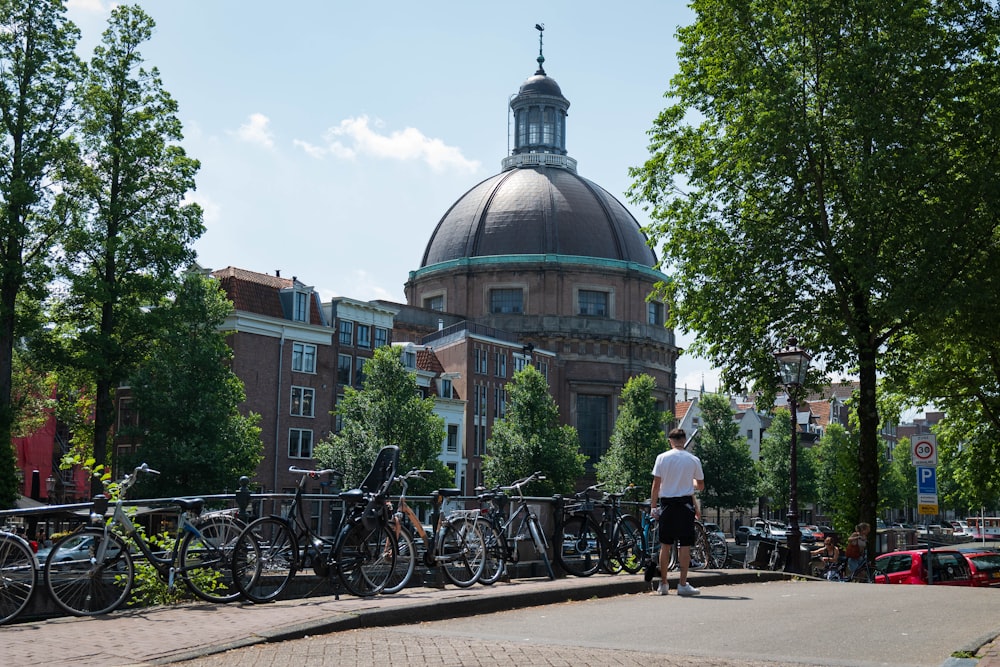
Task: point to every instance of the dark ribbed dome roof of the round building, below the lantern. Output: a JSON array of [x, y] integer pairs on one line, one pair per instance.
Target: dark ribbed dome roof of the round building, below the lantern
[[538, 210]]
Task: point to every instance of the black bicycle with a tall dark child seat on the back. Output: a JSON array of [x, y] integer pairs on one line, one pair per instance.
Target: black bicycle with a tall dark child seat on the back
[[361, 554]]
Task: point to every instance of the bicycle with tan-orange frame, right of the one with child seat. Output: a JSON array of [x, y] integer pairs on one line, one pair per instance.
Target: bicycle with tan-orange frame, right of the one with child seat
[[453, 540]]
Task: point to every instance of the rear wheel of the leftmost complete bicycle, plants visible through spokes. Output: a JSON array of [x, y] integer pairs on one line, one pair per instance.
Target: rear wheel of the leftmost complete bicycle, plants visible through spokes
[[206, 560]]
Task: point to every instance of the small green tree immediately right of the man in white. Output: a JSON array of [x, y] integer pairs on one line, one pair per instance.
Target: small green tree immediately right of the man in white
[[730, 478]]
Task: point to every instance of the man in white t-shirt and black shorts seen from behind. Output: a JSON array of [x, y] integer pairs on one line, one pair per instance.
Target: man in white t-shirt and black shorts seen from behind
[[677, 475]]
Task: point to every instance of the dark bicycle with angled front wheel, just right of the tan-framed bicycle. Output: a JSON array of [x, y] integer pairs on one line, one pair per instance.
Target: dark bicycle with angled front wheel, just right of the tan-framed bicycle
[[502, 535]]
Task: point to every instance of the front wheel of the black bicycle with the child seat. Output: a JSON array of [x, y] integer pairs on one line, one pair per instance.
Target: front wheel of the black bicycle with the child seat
[[265, 558]]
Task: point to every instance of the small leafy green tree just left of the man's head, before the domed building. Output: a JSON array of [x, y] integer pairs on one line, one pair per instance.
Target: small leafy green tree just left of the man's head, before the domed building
[[638, 437]]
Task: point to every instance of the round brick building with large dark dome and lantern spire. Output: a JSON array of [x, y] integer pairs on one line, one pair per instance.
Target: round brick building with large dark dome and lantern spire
[[542, 253]]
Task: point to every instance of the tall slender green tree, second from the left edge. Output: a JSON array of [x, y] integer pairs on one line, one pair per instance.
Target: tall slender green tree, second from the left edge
[[132, 231]]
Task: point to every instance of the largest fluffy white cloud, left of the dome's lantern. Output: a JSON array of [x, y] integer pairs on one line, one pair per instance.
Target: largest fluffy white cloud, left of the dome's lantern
[[354, 136]]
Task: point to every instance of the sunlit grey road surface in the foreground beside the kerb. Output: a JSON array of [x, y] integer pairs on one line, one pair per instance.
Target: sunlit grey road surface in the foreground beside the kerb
[[742, 625]]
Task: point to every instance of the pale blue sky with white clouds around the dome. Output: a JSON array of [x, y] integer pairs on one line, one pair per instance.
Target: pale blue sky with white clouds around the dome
[[334, 135]]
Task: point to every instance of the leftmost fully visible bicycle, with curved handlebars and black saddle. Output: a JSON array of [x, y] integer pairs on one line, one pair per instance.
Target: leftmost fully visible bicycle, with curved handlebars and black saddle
[[100, 581]]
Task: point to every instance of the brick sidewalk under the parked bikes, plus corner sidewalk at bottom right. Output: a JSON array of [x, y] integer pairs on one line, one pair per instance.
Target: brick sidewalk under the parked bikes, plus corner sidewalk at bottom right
[[164, 635]]
